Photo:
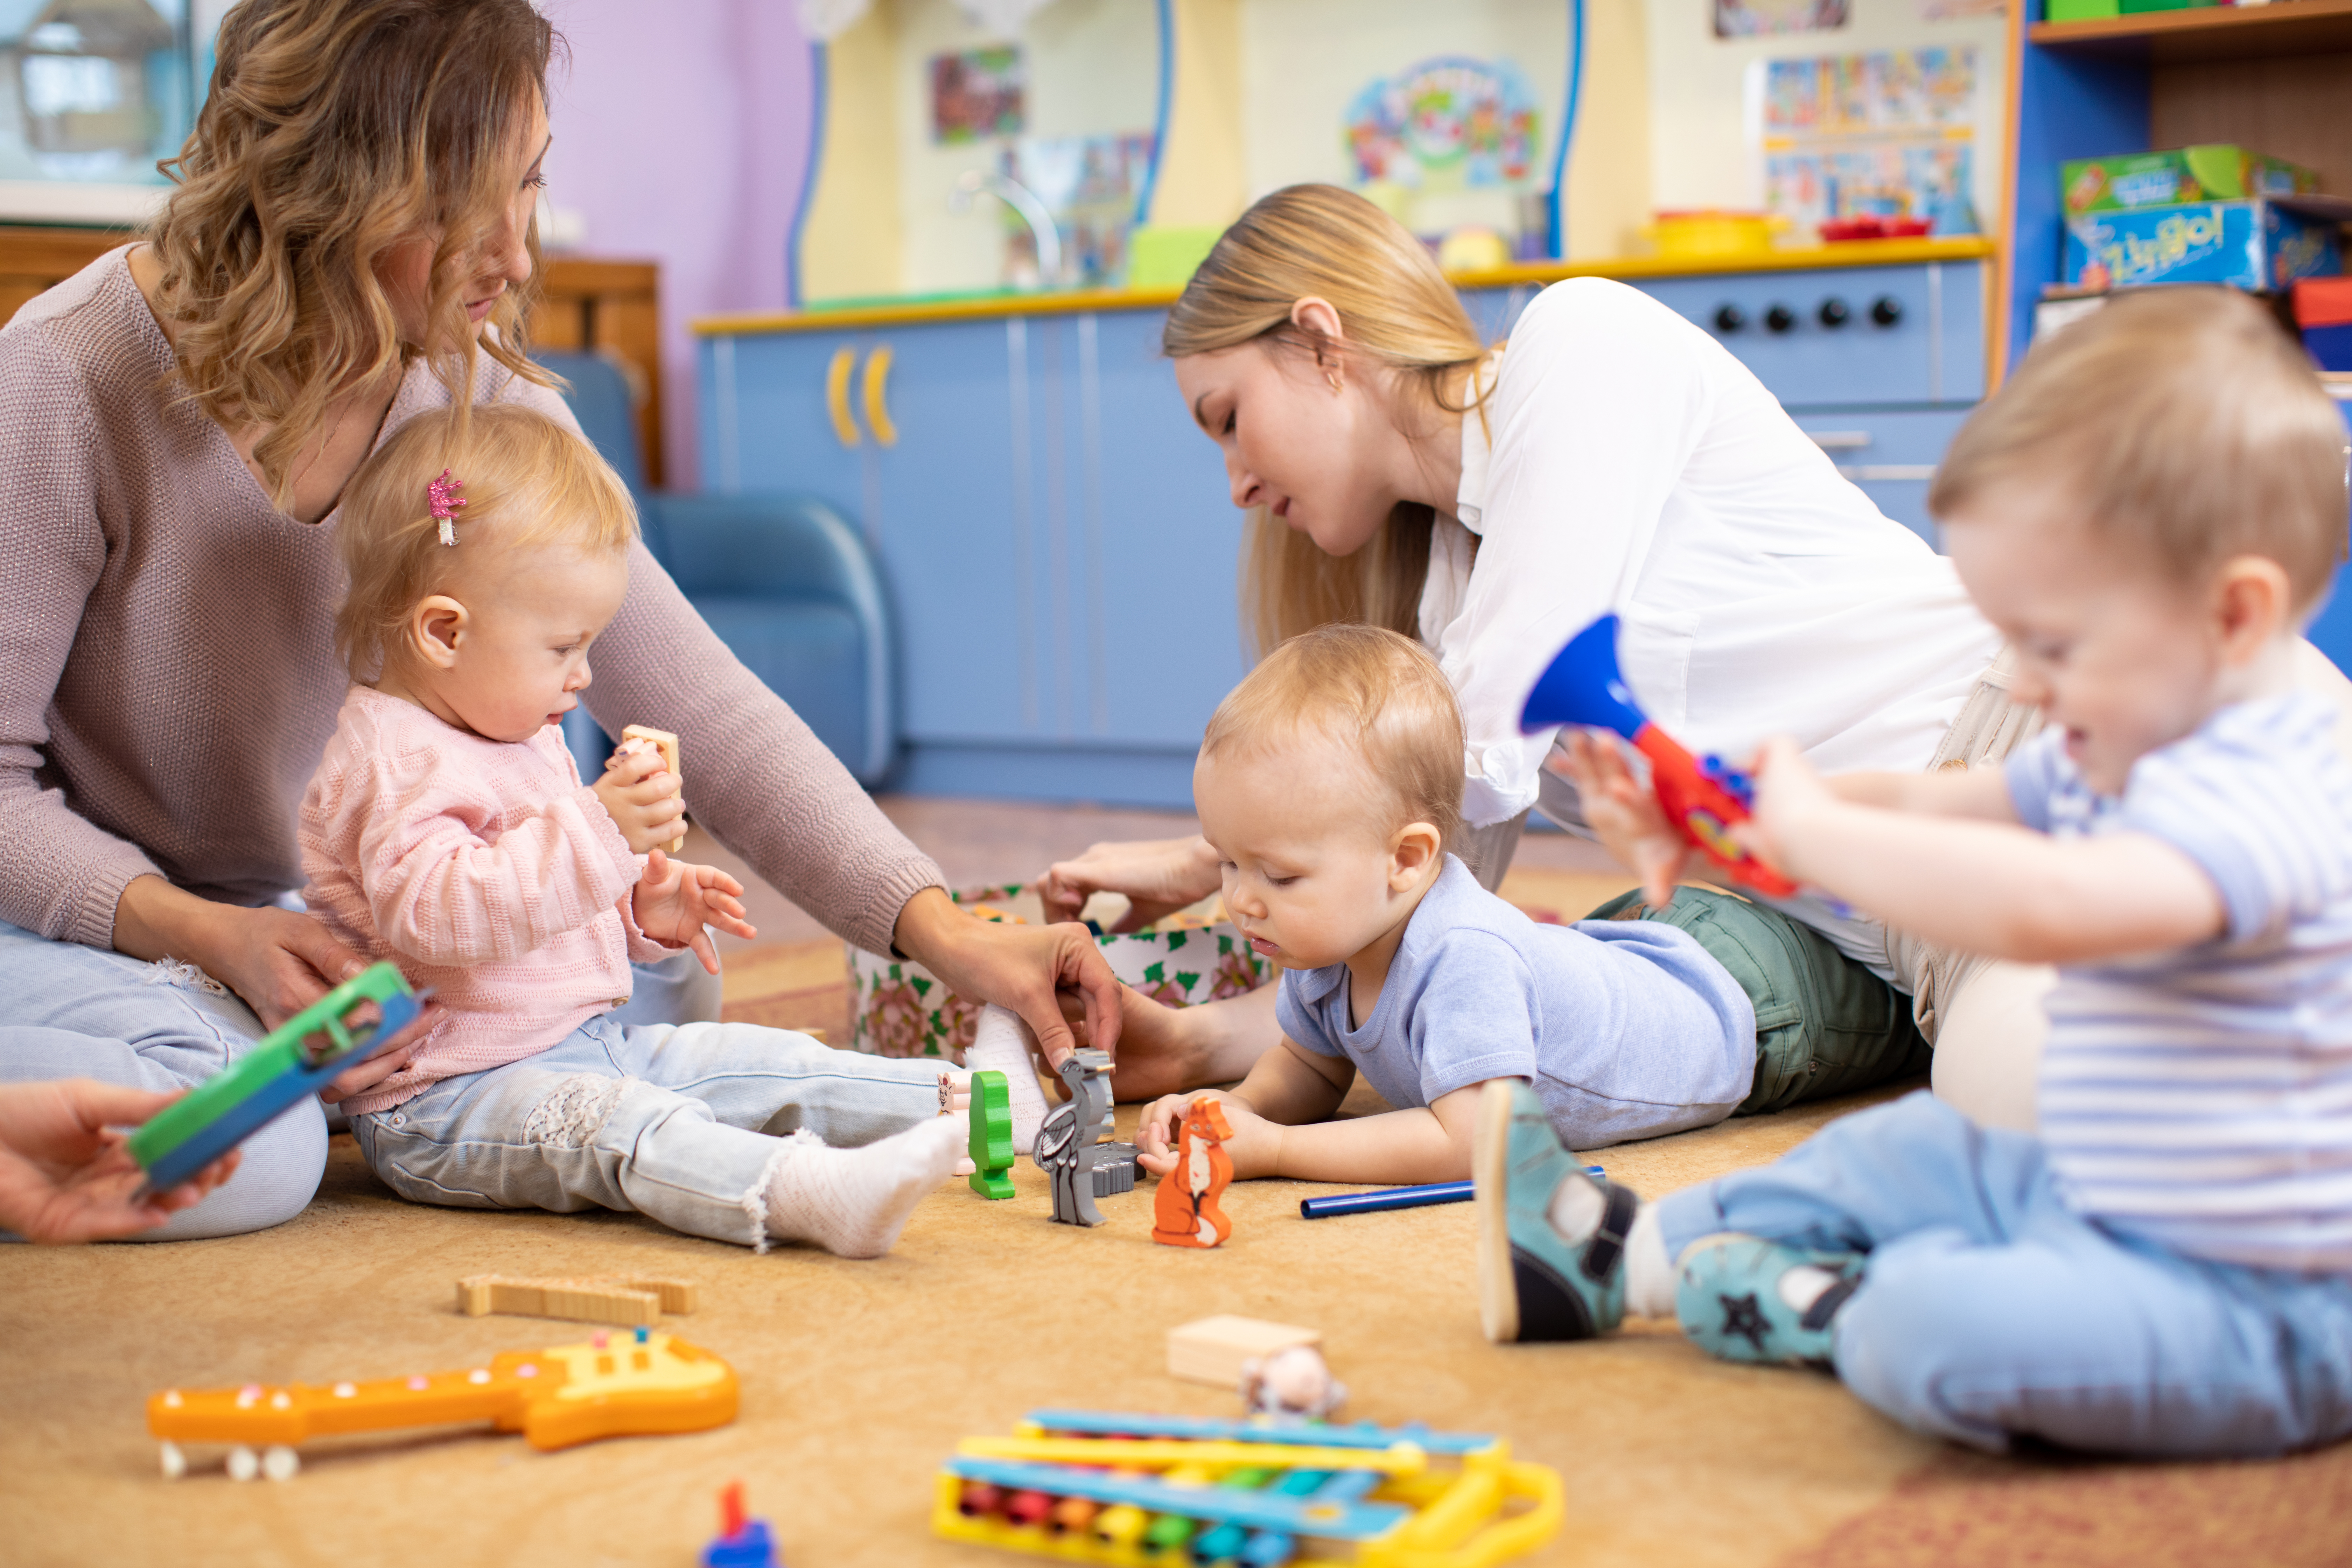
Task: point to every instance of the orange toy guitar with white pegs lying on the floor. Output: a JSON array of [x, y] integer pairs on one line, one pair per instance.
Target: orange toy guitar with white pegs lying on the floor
[[554, 1398]]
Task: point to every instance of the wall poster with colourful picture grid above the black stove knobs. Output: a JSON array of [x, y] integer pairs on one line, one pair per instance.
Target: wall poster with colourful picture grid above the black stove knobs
[[1890, 133]]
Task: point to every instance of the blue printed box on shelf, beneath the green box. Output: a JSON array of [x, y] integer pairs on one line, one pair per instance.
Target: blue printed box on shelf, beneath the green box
[[2252, 246]]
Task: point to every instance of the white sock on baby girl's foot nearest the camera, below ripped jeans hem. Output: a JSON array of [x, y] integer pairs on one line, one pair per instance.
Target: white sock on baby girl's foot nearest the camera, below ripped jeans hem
[[855, 1202]]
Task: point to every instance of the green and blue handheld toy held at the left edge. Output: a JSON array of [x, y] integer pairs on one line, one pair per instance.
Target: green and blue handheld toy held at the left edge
[[293, 1061]]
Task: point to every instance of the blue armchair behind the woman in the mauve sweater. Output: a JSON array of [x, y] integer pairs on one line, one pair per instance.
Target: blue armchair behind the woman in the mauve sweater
[[782, 579]]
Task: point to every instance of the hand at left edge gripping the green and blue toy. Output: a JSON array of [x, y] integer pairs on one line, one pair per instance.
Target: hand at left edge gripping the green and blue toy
[[65, 1174]]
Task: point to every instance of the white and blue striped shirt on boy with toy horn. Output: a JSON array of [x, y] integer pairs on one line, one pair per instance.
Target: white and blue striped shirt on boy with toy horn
[[2203, 1097]]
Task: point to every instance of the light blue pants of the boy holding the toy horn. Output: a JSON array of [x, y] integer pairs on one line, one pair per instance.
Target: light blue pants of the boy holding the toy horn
[[1991, 1313]]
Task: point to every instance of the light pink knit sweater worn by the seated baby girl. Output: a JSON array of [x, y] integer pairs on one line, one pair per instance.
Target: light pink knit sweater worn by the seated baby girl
[[481, 869]]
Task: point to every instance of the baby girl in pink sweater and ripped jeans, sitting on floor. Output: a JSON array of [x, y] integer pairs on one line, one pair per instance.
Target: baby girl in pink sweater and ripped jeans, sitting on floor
[[448, 831]]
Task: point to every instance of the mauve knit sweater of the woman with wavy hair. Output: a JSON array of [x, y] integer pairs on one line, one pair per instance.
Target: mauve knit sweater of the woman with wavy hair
[[168, 669]]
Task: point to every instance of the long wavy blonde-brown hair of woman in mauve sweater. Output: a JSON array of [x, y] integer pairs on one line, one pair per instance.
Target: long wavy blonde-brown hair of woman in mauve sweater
[[333, 133]]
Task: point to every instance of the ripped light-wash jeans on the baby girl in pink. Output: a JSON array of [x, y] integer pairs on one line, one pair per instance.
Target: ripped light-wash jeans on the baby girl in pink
[[671, 1123]]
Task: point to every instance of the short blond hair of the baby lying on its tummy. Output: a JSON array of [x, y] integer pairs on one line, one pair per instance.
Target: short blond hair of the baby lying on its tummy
[[1365, 688]]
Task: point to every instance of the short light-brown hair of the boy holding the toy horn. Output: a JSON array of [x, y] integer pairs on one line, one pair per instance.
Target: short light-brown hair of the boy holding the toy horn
[[2186, 429]]
